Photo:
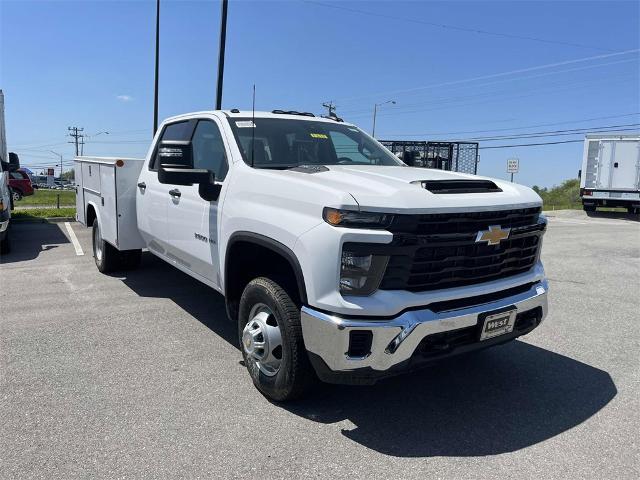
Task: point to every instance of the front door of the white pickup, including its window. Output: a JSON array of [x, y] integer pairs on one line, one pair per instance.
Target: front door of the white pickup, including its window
[[193, 222]]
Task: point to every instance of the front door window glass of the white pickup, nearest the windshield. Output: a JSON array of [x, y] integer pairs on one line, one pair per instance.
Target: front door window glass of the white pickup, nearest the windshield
[[208, 149]]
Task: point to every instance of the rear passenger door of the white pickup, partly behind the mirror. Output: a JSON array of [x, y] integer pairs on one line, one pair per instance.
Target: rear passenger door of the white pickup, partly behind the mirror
[[153, 198]]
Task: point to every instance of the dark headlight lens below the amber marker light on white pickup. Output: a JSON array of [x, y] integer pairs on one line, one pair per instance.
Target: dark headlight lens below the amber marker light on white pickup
[[360, 274]]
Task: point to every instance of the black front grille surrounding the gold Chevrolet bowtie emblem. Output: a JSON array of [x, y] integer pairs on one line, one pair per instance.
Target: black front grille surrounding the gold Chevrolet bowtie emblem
[[430, 252]]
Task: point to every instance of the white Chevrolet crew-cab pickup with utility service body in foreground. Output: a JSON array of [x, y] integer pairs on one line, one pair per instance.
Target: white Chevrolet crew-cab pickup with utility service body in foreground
[[336, 260]]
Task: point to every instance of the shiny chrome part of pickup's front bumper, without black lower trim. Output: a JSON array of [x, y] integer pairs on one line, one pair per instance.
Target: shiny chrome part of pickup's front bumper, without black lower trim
[[396, 339]]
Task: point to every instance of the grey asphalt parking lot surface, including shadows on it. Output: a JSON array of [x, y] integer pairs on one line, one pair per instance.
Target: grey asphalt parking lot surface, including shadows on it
[[139, 376]]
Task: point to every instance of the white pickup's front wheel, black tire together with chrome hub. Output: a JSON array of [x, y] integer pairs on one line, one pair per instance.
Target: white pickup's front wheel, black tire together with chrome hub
[[271, 341]]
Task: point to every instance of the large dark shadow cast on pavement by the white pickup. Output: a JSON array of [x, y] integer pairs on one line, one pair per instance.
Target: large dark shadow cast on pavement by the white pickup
[[496, 401]]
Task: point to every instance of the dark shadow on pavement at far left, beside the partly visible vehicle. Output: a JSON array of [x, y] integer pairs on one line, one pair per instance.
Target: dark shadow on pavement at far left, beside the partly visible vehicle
[[28, 240]]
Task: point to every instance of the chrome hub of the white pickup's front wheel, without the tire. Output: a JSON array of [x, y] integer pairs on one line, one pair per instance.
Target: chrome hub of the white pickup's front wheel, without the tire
[[262, 341]]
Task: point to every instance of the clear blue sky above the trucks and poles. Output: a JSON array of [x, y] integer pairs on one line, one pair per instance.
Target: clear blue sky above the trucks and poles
[[533, 67]]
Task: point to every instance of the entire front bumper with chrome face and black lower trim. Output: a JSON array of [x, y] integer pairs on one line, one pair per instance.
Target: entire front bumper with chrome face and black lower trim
[[414, 337]]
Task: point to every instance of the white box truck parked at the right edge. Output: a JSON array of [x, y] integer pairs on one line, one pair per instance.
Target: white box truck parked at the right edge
[[610, 174]]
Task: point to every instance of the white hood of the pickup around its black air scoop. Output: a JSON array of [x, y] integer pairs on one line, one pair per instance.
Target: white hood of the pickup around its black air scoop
[[398, 189]]
